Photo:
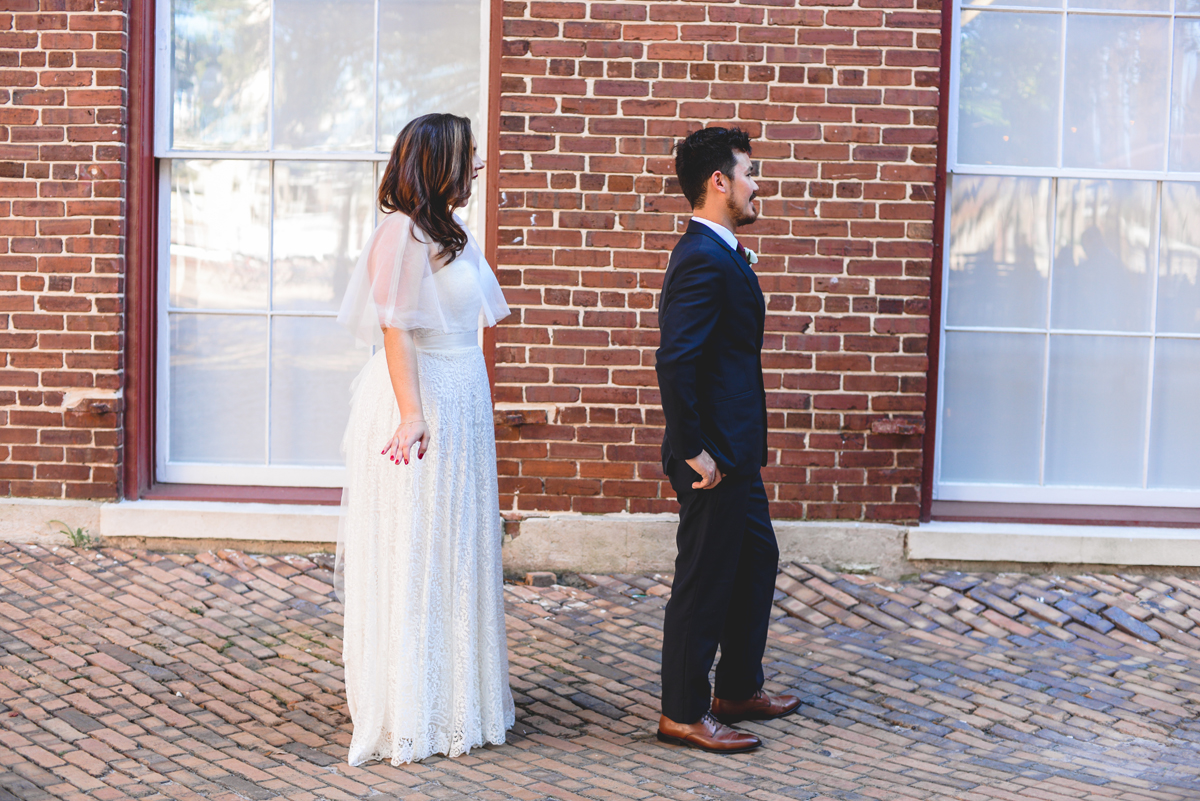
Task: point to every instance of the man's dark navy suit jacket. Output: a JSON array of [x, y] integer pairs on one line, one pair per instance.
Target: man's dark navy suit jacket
[[710, 358]]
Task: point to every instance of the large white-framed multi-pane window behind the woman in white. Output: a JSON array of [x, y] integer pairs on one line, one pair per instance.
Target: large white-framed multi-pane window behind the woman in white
[[274, 122]]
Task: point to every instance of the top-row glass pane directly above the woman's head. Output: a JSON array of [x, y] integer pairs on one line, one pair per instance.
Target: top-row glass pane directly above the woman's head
[[429, 62]]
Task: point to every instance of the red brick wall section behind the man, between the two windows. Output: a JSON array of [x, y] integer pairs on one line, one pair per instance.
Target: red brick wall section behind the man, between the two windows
[[841, 99]]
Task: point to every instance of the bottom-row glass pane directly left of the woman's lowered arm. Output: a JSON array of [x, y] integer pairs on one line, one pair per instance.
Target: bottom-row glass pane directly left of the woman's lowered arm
[[314, 362]]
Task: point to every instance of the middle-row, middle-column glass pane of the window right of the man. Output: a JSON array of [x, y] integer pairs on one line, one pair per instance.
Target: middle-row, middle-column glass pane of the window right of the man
[[1102, 270]]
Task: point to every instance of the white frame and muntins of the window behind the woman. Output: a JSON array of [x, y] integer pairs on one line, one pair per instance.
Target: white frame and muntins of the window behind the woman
[[261, 475]]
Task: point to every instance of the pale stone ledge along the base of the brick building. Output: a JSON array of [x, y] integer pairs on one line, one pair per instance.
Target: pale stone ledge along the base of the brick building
[[611, 544]]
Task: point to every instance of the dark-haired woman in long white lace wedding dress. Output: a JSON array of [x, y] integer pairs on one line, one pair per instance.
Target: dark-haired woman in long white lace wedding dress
[[419, 543]]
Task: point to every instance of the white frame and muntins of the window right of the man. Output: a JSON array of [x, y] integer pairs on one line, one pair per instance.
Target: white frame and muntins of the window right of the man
[[1043, 493]]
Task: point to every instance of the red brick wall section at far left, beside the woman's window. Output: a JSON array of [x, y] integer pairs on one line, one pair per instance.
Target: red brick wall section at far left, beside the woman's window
[[62, 167]]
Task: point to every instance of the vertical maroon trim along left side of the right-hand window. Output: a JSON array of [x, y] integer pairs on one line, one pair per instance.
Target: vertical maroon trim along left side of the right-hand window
[[937, 269]]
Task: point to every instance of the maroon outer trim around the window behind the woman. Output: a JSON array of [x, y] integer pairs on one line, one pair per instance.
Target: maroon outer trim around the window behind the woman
[[141, 276]]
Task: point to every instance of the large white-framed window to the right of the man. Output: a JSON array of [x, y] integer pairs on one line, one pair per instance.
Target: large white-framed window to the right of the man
[[1071, 334]]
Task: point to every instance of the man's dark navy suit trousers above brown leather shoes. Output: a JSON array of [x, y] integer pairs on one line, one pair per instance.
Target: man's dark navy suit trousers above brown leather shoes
[[722, 595]]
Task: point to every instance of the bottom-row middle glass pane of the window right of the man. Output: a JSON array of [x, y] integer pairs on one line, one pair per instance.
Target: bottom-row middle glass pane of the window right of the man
[[1096, 411]]
